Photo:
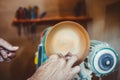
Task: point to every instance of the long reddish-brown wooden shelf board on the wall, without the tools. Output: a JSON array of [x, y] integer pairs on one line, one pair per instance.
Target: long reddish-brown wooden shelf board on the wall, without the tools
[[52, 19]]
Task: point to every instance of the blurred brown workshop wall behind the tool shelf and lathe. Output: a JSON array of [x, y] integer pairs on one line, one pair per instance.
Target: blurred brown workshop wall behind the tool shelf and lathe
[[104, 26]]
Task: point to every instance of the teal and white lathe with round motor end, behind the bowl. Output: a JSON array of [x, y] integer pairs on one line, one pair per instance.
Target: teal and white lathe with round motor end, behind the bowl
[[102, 58]]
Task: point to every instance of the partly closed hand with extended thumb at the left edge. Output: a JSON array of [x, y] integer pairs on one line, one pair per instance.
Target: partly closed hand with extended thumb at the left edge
[[7, 51]]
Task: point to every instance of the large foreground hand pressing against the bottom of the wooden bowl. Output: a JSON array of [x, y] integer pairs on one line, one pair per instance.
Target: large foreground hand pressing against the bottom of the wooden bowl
[[57, 68]]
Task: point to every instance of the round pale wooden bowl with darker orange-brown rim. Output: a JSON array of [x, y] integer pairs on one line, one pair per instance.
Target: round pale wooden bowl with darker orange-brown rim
[[68, 36]]
